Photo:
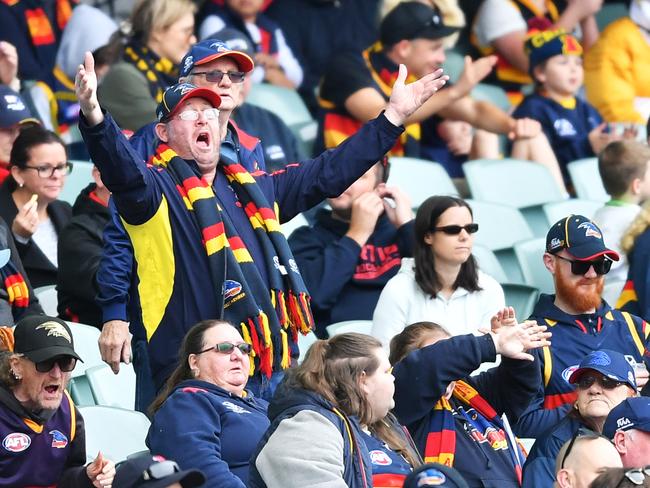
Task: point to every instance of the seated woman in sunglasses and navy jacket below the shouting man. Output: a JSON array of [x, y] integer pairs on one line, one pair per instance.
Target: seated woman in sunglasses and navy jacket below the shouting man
[[204, 418]]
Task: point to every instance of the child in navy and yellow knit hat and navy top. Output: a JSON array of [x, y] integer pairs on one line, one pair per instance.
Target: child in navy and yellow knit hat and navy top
[[573, 127]]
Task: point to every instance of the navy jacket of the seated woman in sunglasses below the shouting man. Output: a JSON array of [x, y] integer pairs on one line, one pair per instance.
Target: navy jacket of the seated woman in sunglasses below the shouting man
[[202, 426]]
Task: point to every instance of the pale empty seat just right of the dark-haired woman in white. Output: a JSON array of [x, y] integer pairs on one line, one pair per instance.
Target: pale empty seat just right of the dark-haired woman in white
[[500, 226]]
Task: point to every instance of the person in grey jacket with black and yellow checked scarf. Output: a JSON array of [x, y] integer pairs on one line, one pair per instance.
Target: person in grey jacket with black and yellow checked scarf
[[160, 33]]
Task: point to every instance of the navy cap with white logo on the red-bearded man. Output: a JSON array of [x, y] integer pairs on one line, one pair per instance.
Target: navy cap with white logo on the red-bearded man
[[580, 237]]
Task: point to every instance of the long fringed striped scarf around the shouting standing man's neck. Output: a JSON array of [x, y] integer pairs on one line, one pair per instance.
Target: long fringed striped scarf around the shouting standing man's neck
[[268, 319]]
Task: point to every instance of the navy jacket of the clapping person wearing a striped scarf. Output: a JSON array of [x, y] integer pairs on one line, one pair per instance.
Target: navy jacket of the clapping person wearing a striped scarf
[[421, 379]]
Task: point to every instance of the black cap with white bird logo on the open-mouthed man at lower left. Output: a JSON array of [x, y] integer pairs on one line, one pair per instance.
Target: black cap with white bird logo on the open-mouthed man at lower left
[[39, 338]]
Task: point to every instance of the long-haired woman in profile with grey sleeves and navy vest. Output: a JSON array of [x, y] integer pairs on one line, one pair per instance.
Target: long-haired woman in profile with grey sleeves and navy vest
[[330, 422]]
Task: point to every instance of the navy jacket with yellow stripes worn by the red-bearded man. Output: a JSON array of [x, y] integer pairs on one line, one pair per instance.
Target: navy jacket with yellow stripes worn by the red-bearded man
[[575, 336]]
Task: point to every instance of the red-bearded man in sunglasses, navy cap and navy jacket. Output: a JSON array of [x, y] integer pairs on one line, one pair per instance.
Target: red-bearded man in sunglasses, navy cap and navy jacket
[[580, 320]]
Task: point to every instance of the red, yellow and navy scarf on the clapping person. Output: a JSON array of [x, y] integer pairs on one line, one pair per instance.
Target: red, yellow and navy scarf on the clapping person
[[440, 445]]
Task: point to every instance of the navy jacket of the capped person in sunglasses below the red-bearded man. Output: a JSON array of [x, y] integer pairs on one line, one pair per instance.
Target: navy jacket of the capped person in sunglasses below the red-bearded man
[[539, 469]]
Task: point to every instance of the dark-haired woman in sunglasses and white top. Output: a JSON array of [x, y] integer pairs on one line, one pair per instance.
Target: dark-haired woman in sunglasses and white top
[[442, 283]]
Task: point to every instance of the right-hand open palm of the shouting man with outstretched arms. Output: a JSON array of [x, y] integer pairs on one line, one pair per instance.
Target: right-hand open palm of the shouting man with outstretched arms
[[406, 99]]
